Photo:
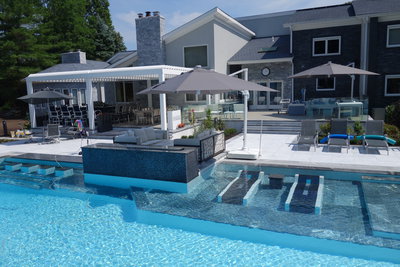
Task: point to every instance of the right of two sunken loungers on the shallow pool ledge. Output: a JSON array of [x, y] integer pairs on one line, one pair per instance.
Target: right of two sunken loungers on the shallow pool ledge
[[305, 195]]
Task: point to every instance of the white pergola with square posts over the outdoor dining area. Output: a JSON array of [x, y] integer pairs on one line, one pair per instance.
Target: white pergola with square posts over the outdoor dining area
[[160, 72]]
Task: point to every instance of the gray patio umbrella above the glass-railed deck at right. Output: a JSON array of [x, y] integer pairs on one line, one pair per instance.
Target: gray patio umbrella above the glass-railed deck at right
[[332, 69]]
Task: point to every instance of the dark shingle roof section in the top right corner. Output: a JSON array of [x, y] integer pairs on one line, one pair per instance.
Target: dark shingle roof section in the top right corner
[[365, 7]]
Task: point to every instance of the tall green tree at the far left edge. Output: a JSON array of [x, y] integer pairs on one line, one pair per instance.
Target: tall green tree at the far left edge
[[21, 53]]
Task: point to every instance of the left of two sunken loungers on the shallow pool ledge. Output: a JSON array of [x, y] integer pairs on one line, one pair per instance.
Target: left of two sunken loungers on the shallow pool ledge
[[242, 189]]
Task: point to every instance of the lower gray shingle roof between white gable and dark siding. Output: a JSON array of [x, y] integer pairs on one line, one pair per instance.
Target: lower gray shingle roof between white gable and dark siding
[[252, 50]]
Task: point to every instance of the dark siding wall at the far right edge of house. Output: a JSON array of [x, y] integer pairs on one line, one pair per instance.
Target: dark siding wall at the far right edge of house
[[382, 60]]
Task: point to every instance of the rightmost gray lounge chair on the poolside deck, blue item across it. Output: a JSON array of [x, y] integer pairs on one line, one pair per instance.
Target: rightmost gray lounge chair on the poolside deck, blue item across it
[[374, 135]]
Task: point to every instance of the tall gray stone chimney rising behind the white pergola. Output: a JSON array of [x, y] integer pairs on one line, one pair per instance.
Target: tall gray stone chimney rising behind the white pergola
[[149, 32]]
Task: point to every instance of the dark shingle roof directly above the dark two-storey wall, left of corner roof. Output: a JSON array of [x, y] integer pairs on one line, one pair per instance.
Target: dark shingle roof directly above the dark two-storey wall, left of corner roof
[[323, 13]]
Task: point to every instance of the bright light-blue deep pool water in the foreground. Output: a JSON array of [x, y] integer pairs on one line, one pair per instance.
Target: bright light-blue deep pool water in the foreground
[[43, 229]]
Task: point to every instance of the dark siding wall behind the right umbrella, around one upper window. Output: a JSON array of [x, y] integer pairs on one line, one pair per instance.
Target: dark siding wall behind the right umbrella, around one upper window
[[303, 59]]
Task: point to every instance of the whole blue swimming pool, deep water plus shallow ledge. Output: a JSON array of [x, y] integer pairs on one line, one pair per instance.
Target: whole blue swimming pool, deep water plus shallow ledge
[[86, 224]]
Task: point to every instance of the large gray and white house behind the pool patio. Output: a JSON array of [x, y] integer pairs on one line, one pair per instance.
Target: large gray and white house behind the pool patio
[[363, 33]]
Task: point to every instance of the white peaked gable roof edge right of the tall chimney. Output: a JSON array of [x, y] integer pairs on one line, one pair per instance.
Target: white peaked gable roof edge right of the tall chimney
[[201, 20]]
